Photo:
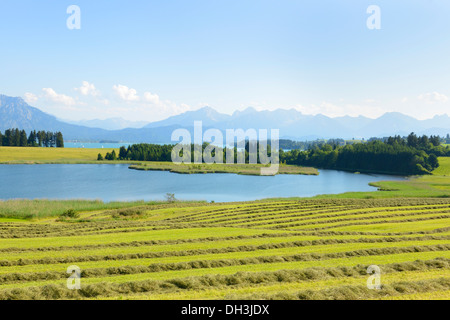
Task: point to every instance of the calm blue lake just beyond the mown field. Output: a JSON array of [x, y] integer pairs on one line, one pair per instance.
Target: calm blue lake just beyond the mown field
[[110, 182]]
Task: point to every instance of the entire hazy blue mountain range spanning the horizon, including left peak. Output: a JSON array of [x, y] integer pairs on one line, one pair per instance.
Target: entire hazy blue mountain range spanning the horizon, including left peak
[[16, 113]]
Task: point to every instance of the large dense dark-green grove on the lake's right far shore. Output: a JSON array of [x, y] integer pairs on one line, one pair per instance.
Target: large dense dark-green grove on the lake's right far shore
[[395, 155]]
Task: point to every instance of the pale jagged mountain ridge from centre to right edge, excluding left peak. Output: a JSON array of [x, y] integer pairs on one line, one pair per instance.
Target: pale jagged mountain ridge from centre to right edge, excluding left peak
[[293, 124]]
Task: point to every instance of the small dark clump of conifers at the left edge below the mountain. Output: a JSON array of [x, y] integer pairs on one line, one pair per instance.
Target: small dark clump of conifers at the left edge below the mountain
[[19, 138]]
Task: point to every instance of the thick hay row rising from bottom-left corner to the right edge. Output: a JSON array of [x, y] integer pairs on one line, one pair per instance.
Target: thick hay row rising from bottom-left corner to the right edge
[[240, 279]]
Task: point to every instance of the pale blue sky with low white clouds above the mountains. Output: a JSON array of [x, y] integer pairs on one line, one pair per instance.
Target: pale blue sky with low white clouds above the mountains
[[147, 60]]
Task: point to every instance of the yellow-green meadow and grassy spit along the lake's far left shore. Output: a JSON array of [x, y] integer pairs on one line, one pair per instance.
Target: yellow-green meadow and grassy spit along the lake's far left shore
[[26, 155]]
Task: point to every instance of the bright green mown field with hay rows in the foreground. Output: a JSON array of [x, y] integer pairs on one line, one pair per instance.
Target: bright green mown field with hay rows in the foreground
[[284, 249]]
